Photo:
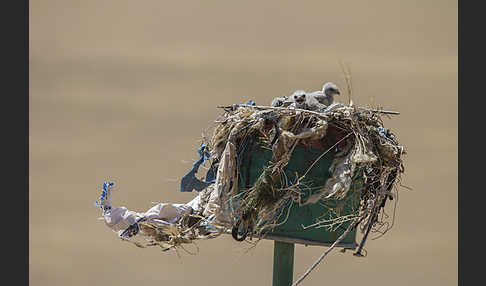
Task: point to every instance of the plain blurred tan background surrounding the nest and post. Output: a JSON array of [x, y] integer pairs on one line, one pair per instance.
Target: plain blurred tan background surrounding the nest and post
[[123, 89]]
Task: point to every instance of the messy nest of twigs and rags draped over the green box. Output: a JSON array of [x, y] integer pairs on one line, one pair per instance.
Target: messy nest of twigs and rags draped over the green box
[[362, 147]]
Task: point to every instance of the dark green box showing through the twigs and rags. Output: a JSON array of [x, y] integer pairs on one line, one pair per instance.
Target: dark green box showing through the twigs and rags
[[294, 229]]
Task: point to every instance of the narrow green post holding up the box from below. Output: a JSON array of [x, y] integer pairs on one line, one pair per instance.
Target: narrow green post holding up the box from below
[[283, 263]]
